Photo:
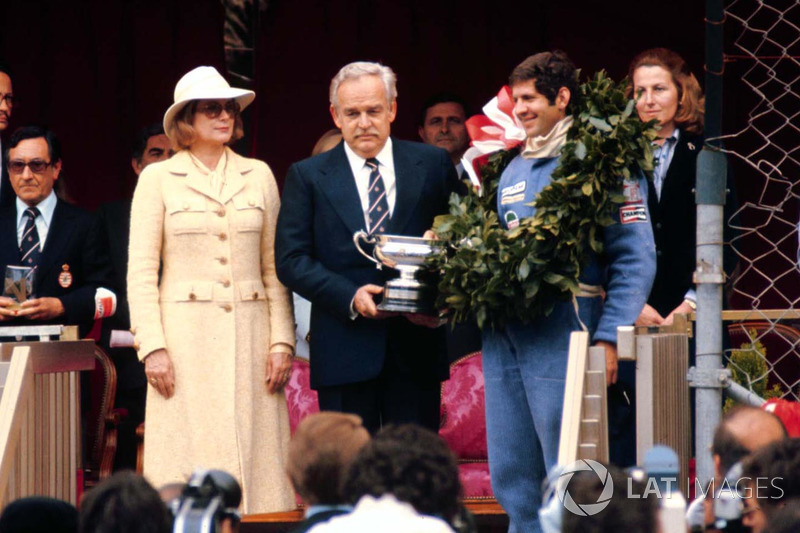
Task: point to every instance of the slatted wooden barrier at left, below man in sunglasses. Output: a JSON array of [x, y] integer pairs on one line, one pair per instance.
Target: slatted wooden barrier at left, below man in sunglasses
[[40, 425]]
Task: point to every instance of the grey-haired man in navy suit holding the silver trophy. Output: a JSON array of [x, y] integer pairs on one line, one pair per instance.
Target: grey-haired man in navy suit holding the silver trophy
[[381, 367]]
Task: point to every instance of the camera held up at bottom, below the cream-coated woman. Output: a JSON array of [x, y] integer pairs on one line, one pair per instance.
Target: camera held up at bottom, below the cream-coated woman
[[210, 498]]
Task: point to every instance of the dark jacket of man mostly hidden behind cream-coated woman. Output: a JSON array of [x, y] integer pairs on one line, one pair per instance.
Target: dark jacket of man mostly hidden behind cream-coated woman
[[111, 231]]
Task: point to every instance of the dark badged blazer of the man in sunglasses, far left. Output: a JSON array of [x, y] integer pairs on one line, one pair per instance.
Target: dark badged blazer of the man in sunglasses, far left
[[67, 246]]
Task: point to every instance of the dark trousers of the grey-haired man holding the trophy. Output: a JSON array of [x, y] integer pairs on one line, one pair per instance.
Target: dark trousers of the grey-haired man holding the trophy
[[393, 397]]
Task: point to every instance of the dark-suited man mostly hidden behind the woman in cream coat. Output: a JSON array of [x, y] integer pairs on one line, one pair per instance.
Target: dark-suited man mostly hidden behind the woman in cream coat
[[111, 230]]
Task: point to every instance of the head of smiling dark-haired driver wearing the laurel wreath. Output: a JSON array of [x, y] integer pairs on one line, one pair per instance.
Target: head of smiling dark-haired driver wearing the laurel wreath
[[542, 87]]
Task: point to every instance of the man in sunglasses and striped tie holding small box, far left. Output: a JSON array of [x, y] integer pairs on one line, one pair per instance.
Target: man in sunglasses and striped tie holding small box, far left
[[48, 234]]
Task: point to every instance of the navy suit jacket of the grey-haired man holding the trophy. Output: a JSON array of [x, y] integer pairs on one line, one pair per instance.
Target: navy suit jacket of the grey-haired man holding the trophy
[[315, 257]]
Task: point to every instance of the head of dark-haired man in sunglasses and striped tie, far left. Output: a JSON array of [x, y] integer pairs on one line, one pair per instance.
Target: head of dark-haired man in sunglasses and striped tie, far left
[[33, 157]]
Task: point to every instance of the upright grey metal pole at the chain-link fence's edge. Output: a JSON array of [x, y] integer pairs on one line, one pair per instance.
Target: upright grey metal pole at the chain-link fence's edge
[[708, 377]]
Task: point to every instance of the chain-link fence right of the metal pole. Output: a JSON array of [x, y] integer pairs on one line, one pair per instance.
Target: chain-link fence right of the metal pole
[[762, 140]]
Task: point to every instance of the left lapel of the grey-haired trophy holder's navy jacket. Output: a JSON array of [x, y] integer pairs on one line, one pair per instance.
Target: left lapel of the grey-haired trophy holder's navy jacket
[[337, 183]]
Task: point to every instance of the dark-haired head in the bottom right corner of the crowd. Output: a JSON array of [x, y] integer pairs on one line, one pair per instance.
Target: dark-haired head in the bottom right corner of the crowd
[[772, 479]]
